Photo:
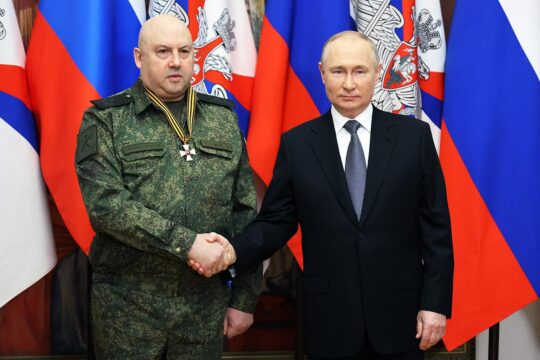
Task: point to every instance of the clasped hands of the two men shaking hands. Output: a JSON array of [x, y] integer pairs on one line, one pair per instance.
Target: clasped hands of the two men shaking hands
[[211, 253]]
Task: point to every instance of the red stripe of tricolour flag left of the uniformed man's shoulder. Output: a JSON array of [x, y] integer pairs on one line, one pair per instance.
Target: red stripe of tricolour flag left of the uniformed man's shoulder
[[60, 93]]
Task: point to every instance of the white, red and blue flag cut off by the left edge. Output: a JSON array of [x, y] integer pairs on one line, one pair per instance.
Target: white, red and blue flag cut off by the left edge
[[27, 248]]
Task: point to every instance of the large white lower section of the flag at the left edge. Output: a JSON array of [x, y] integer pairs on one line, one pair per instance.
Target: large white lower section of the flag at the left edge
[[27, 250]]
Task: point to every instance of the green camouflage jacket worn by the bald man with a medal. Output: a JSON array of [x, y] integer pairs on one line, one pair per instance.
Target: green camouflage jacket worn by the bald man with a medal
[[147, 203]]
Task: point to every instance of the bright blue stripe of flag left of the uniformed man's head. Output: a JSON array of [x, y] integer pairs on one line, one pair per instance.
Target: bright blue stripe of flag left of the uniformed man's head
[[100, 36]]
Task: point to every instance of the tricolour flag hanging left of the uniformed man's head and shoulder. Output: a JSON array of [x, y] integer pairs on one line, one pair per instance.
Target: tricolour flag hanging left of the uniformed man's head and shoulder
[[79, 51]]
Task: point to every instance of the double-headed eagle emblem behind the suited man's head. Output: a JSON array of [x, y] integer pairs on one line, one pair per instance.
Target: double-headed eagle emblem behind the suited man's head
[[402, 66]]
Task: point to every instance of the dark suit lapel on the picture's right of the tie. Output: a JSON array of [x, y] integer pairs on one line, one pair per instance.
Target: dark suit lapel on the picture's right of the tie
[[381, 146]]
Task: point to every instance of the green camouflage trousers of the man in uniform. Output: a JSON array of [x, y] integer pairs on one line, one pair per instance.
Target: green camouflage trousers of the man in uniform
[[143, 326]]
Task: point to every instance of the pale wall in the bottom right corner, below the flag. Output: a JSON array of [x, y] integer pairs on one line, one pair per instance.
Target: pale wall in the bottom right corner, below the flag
[[519, 336]]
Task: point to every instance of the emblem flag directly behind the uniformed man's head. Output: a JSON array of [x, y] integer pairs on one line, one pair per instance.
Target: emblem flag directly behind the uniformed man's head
[[225, 53]]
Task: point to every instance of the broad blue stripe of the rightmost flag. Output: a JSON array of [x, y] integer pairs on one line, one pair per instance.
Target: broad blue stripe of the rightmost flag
[[496, 126]]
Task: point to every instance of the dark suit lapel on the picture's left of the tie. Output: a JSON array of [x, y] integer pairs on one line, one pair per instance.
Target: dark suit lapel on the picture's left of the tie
[[322, 139]]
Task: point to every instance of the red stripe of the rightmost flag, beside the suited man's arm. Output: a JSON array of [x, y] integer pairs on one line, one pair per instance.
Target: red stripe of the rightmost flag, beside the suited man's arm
[[489, 283]]
